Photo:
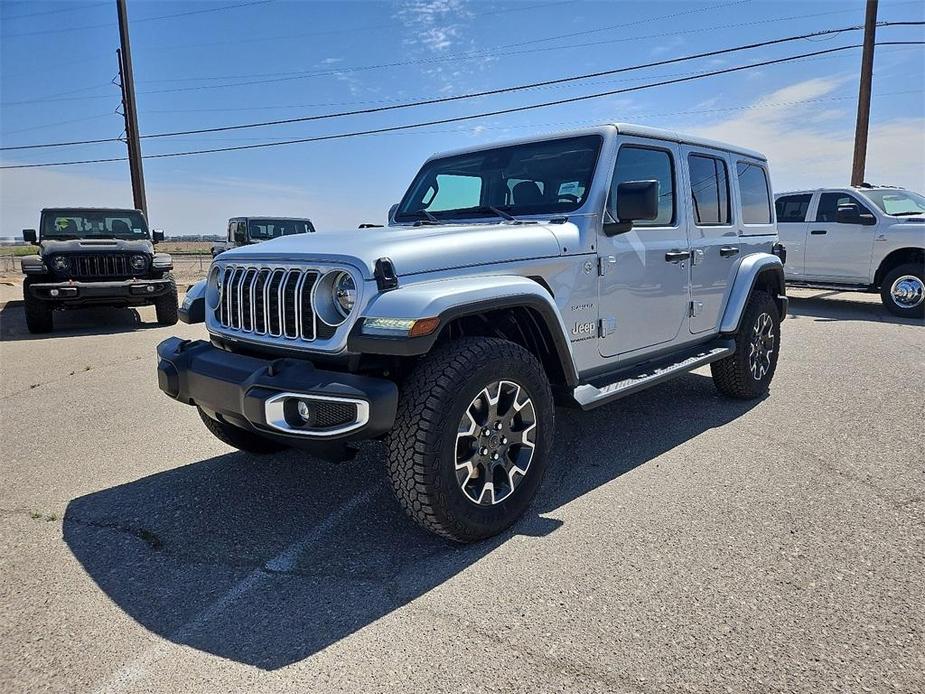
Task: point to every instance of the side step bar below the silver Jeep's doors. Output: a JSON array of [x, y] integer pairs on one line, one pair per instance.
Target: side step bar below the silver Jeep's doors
[[642, 376]]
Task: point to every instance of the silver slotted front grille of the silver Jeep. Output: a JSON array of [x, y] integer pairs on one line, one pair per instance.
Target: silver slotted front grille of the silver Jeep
[[270, 301]]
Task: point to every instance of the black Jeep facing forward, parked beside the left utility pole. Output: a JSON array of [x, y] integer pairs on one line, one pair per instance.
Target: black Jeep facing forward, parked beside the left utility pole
[[95, 257]]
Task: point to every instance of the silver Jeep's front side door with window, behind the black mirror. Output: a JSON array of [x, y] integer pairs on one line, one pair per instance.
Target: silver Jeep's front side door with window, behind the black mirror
[[644, 274]]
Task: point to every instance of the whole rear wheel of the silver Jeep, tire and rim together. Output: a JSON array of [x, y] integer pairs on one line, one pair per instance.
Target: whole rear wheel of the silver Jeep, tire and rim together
[[747, 373]]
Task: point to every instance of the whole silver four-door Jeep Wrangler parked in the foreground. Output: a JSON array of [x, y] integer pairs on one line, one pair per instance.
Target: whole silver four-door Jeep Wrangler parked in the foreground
[[571, 269]]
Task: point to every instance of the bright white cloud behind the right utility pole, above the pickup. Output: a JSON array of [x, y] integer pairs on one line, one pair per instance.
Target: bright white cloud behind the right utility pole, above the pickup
[[809, 145]]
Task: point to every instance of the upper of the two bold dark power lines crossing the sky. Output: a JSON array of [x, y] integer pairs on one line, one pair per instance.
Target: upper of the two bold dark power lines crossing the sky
[[460, 97]]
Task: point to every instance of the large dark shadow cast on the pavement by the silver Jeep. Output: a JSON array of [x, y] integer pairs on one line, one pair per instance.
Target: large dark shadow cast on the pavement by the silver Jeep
[[267, 561]]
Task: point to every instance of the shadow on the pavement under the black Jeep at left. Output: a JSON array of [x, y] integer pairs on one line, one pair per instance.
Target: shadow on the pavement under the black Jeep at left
[[70, 323]]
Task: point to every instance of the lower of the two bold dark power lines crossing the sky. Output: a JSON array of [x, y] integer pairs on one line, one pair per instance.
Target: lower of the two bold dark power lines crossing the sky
[[457, 119]]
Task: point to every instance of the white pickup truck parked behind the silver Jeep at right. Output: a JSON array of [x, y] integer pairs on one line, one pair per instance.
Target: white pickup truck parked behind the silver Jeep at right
[[868, 238]]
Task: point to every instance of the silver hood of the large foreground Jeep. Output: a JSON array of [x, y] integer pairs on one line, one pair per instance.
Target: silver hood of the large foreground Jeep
[[419, 249]]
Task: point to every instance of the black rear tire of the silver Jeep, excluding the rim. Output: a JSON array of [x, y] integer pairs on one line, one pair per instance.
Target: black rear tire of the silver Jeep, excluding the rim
[[733, 375]]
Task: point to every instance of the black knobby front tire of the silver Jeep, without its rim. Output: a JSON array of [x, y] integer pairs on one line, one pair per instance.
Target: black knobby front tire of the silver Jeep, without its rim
[[422, 446]]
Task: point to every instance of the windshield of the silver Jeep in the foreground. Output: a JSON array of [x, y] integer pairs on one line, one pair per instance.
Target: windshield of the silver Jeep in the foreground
[[549, 177]]
